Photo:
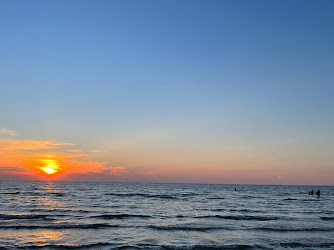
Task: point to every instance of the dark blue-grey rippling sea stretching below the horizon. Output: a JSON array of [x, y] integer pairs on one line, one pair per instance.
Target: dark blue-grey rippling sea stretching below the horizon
[[164, 216]]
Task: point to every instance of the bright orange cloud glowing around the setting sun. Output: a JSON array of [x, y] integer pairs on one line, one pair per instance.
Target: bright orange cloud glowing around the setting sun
[[35, 158]]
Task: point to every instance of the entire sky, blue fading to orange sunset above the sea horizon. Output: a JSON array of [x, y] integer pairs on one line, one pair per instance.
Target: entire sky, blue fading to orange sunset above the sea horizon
[[167, 91]]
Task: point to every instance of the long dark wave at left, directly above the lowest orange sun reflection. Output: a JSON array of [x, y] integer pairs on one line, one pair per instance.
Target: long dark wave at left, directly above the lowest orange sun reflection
[[61, 226]]
